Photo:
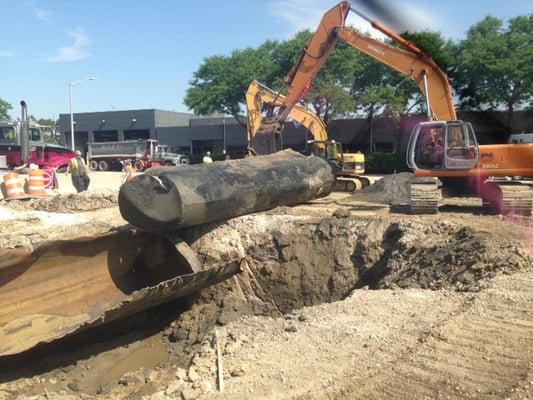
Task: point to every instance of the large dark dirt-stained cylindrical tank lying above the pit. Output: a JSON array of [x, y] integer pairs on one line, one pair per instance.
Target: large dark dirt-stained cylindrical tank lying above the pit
[[166, 199]]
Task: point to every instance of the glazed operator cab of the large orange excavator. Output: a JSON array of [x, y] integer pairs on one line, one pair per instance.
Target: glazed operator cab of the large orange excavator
[[442, 145]]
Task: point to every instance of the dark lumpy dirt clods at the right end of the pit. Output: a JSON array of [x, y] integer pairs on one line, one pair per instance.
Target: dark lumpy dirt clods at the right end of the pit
[[442, 256]]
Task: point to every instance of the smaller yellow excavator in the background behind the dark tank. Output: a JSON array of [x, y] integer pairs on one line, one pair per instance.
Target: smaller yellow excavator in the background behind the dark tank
[[348, 167]]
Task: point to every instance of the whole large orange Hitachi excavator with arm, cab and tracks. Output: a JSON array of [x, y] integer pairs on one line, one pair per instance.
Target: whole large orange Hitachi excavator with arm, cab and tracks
[[443, 152]]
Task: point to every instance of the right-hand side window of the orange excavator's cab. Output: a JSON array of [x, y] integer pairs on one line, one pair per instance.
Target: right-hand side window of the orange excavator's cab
[[461, 146]]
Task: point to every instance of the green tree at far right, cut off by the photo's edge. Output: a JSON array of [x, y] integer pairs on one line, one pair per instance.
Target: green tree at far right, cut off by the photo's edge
[[495, 65]]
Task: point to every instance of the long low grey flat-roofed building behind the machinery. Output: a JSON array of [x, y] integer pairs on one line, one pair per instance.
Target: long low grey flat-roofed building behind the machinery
[[190, 134]]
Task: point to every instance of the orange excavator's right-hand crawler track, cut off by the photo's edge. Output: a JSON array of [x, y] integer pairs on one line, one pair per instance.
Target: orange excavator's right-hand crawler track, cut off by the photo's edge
[[508, 197]]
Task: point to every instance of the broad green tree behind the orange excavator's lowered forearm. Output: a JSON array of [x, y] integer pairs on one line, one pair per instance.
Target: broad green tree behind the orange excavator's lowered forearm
[[220, 83]]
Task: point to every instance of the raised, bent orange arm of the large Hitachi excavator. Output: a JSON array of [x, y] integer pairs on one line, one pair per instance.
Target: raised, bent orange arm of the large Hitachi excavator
[[408, 60]]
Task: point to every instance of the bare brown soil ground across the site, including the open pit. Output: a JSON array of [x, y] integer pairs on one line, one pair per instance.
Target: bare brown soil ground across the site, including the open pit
[[450, 315]]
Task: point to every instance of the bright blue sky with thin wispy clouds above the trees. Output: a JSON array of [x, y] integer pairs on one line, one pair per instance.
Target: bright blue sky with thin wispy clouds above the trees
[[144, 53]]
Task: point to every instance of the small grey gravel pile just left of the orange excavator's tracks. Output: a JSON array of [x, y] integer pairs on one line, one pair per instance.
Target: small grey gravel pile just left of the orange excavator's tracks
[[391, 189]]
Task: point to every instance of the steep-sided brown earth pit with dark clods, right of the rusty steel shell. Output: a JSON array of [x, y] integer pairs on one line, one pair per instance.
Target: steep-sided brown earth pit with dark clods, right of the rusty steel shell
[[293, 263]]
